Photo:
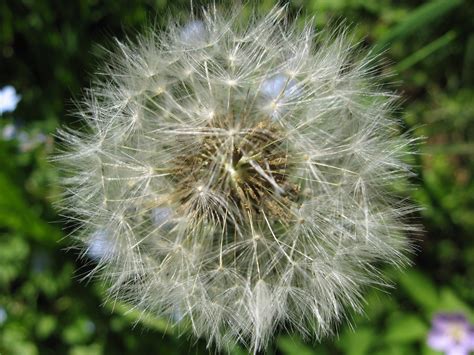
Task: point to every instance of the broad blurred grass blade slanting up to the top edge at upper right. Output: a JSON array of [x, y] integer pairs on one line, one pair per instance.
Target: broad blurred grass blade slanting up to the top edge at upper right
[[419, 18]]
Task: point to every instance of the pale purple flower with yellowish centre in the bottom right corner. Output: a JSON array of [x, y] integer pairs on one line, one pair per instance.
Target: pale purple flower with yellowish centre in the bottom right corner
[[452, 334]]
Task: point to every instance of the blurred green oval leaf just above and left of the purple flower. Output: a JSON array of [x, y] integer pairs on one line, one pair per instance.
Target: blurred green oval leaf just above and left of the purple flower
[[420, 289]]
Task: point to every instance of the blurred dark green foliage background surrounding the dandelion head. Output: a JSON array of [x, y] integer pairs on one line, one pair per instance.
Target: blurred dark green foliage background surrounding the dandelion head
[[49, 50]]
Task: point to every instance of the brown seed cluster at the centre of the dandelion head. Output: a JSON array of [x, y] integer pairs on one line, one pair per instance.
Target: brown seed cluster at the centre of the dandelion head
[[248, 162]]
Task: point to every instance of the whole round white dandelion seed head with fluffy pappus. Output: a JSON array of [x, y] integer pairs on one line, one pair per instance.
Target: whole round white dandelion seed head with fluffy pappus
[[241, 178]]
